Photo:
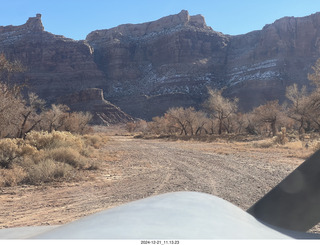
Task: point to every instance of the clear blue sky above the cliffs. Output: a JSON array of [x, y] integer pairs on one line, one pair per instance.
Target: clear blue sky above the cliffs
[[77, 18]]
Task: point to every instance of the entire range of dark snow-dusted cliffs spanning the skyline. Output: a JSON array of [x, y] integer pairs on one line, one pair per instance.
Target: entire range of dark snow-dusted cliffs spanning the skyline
[[147, 68]]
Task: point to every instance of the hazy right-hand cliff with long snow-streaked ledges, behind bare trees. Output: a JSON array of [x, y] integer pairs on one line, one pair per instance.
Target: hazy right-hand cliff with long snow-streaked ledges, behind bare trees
[[261, 64]]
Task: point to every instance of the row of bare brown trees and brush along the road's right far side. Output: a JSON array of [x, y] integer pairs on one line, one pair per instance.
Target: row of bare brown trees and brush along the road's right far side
[[297, 119]]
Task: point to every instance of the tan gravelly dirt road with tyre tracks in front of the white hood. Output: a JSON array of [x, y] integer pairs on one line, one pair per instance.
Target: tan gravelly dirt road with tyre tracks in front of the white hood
[[143, 168]]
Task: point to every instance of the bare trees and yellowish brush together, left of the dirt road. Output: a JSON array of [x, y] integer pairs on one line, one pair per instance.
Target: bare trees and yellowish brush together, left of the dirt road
[[39, 143]]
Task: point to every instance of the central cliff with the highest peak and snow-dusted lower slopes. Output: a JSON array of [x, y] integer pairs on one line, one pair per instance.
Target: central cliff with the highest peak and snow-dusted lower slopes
[[176, 54]]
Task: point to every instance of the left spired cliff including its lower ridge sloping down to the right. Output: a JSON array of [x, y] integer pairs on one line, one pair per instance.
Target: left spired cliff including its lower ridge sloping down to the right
[[58, 67]]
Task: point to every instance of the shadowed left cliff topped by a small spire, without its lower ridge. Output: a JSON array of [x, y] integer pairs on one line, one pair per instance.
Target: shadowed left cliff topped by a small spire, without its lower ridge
[[55, 65]]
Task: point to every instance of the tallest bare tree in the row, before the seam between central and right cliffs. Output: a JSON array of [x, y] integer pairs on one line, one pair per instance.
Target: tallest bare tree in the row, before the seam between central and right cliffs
[[220, 108]]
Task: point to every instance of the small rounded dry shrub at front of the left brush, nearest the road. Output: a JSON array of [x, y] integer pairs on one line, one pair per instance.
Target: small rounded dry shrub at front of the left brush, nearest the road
[[47, 170]]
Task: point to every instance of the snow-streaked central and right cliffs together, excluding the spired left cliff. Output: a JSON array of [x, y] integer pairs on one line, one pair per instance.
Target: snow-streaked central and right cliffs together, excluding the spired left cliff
[[181, 54]]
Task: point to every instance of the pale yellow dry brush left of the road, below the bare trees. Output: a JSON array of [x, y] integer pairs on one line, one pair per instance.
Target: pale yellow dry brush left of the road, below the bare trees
[[45, 157]]
